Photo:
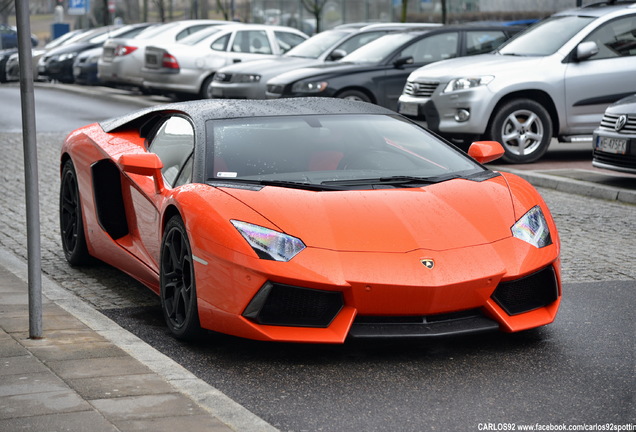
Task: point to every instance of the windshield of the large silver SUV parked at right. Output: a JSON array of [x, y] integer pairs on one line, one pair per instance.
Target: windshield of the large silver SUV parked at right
[[546, 37]]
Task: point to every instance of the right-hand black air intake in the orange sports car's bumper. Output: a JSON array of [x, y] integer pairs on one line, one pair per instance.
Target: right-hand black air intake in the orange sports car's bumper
[[528, 293]]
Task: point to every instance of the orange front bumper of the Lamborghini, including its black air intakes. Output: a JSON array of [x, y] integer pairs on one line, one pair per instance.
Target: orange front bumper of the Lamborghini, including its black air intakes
[[325, 296]]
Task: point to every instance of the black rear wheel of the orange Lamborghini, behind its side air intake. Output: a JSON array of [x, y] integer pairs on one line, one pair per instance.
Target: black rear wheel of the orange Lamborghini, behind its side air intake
[[71, 222]]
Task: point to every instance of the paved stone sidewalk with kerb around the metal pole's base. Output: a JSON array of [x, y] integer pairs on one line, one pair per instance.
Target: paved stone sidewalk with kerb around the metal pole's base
[[89, 374]]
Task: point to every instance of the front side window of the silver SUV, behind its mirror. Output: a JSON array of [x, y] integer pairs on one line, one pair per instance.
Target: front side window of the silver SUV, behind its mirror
[[615, 39]]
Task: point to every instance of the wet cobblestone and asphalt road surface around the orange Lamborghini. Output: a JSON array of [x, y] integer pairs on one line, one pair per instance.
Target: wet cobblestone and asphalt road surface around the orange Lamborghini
[[580, 370]]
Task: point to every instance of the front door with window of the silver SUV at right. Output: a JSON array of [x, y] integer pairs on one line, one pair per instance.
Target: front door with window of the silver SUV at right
[[592, 84]]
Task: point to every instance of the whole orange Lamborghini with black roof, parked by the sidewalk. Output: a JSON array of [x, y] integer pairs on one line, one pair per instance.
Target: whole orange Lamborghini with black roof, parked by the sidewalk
[[308, 220]]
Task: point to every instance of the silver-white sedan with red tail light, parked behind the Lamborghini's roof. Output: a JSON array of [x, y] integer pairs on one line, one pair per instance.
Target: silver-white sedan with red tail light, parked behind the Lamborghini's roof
[[188, 68]]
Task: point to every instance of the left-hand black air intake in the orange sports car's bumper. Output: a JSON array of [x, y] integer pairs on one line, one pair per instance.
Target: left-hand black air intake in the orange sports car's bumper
[[285, 305]]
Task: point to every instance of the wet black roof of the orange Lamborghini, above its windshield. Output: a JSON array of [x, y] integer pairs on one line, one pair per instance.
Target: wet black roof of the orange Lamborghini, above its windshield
[[215, 109]]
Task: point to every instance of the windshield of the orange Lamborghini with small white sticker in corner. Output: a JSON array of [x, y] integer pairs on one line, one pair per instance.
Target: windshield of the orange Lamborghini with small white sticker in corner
[[331, 151]]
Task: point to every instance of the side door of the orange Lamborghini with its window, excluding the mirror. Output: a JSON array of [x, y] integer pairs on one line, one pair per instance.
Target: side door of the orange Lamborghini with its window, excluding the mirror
[[173, 143]]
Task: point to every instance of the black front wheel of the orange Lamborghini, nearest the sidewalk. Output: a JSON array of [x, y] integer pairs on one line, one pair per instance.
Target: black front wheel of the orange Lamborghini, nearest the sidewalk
[[178, 287]]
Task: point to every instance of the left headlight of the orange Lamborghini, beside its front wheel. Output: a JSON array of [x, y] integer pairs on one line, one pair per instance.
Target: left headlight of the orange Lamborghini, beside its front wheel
[[269, 244]]
